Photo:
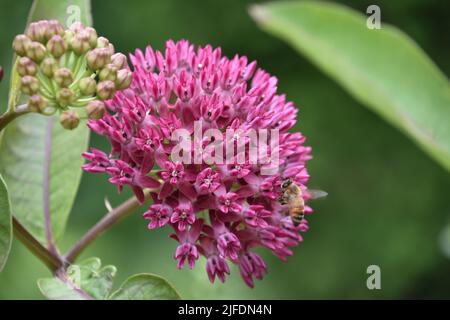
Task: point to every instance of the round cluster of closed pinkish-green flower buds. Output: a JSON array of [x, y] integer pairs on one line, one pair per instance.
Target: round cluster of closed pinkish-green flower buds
[[68, 71]]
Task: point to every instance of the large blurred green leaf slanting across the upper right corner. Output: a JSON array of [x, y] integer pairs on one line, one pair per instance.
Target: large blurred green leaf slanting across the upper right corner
[[383, 69]]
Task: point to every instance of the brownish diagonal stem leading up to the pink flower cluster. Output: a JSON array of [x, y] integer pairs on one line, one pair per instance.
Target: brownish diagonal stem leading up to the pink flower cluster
[[111, 218]]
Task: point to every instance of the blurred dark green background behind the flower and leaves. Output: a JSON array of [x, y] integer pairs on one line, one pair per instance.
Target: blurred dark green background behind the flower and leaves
[[388, 203]]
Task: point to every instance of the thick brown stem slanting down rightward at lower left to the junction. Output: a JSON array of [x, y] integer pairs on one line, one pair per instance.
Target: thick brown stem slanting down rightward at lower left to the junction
[[51, 260]]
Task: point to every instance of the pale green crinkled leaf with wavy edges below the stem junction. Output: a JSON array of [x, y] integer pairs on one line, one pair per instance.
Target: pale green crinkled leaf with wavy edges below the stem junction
[[84, 281]]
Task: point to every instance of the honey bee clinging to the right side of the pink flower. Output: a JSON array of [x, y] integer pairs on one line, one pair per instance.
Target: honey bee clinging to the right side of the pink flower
[[292, 195]]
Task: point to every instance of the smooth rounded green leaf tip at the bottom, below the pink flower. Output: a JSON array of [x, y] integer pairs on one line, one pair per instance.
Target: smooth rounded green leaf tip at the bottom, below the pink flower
[[145, 287]]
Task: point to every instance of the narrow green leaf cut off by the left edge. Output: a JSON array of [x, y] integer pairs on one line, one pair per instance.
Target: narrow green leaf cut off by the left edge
[[5, 224]]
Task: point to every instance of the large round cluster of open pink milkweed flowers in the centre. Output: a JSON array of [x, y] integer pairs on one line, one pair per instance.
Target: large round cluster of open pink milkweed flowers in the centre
[[219, 211]]
